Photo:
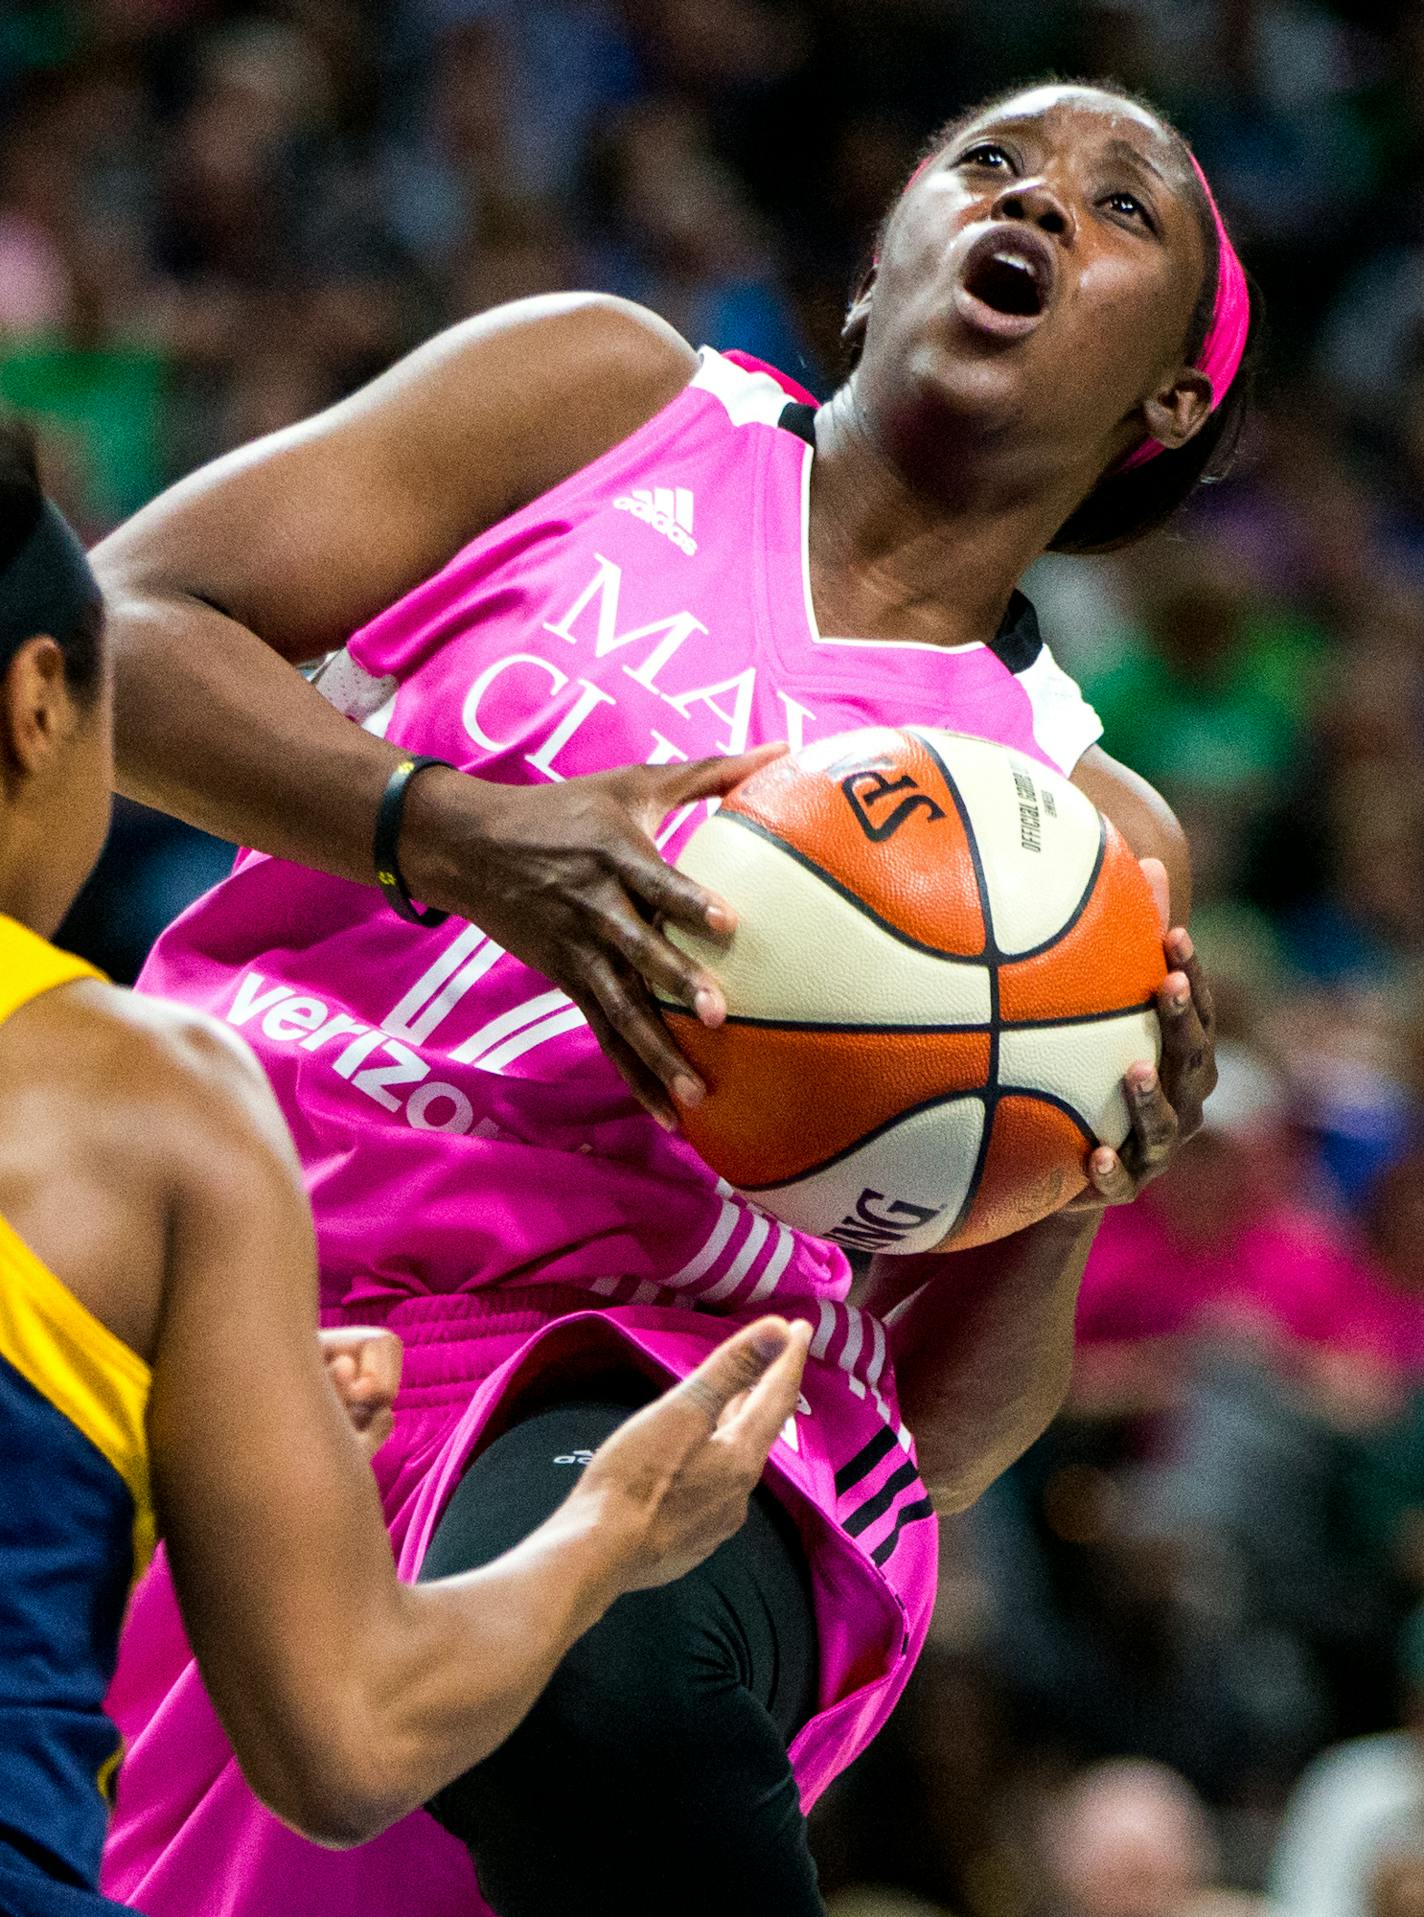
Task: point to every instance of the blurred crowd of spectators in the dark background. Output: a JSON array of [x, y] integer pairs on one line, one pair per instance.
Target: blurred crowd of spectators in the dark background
[[1180, 1659]]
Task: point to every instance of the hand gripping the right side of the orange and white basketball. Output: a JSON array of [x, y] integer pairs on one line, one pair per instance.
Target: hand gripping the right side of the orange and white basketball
[[1164, 1101]]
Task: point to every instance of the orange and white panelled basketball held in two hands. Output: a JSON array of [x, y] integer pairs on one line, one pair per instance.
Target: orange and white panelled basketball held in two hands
[[944, 965]]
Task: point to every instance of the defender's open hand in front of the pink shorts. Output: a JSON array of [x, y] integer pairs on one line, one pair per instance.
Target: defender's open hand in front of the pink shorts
[[679, 1473]]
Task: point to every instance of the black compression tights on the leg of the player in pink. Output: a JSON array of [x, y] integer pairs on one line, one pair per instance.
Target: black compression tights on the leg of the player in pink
[[653, 1778]]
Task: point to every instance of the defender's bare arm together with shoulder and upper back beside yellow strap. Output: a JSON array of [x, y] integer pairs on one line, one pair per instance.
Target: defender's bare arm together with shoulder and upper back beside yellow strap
[[150, 1166]]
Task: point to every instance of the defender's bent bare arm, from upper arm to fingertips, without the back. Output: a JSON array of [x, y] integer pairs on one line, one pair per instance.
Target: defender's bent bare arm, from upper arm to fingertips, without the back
[[352, 1698]]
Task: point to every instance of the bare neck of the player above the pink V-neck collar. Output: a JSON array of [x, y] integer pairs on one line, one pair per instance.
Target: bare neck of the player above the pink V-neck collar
[[892, 561]]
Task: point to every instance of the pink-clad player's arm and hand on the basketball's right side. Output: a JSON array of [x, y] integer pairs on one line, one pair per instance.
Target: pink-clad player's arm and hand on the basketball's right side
[[984, 1358]]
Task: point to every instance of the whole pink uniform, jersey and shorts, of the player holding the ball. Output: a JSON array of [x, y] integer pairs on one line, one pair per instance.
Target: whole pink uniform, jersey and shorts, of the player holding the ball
[[478, 1172]]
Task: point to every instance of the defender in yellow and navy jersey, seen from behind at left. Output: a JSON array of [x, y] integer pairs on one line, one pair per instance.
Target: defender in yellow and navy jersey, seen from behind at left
[[158, 1303]]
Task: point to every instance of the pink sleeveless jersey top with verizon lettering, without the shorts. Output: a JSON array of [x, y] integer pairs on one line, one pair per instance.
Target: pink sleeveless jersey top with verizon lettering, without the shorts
[[653, 609]]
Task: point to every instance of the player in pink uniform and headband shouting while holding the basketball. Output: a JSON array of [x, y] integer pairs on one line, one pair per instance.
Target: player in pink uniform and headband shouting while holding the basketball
[[553, 543]]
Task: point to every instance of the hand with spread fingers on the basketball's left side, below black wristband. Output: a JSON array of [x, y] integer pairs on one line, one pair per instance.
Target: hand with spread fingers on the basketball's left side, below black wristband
[[570, 881]]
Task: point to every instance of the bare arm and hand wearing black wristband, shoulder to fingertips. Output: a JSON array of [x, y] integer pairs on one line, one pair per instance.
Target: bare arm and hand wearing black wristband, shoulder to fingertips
[[279, 553]]
